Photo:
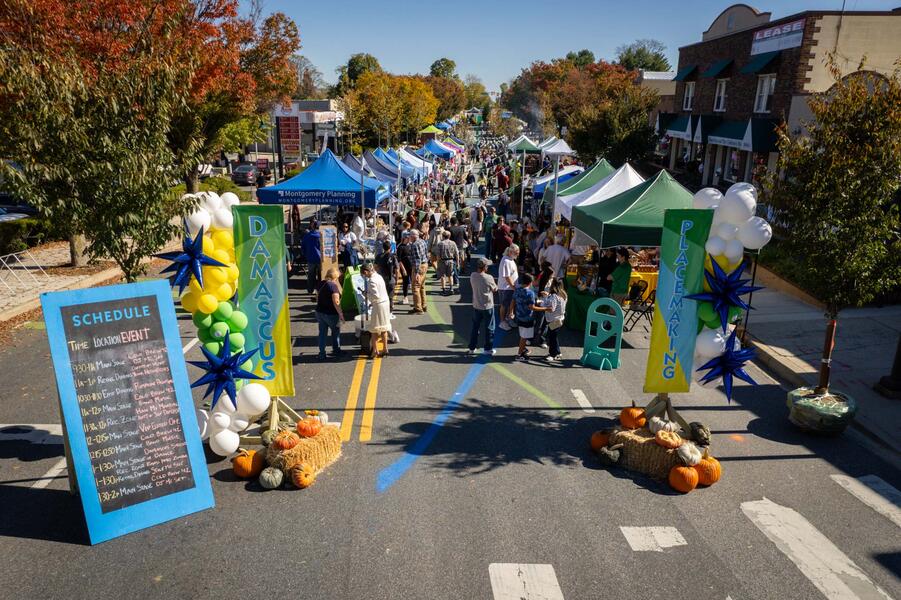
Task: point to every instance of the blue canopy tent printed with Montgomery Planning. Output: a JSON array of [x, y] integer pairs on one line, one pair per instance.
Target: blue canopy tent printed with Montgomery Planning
[[326, 181]]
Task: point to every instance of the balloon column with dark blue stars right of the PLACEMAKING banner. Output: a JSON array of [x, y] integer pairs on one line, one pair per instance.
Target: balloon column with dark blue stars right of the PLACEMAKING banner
[[734, 230]]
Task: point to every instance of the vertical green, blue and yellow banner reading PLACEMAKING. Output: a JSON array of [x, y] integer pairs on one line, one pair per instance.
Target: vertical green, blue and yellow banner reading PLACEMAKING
[[675, 327]]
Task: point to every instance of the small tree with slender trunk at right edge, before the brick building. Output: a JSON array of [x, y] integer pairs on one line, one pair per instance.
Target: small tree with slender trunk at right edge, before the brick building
[[836, 190]]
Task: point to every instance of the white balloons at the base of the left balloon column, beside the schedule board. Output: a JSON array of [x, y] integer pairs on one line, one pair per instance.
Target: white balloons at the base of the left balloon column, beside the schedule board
[[221, 426]]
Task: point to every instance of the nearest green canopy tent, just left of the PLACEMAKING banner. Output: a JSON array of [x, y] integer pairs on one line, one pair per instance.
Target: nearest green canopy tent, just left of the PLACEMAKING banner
[[634, 217]]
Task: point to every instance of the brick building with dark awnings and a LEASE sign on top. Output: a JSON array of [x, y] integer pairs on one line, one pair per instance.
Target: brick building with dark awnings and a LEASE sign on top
[[749, 74]]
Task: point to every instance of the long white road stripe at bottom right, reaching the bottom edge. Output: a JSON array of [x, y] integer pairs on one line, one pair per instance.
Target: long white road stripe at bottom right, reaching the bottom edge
[[818, 559]]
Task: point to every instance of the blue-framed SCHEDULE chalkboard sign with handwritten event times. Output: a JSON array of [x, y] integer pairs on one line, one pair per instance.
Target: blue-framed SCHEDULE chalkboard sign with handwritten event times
[[126, 404]]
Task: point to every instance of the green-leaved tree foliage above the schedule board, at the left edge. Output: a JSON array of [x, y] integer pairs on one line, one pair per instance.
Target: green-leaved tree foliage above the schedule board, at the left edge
[[94, 151]]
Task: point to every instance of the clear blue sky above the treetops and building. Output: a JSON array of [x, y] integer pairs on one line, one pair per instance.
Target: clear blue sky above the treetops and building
[[494, 40]]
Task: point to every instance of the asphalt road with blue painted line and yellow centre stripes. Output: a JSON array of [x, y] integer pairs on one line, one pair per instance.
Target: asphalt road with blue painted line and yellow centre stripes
[[474, 469]]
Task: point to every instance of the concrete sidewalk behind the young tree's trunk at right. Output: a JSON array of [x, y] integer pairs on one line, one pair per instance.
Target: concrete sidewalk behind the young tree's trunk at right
[[789, 336]]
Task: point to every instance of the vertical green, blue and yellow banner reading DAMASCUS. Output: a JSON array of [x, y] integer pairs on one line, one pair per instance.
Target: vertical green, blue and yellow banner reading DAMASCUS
[[263, 293]]
